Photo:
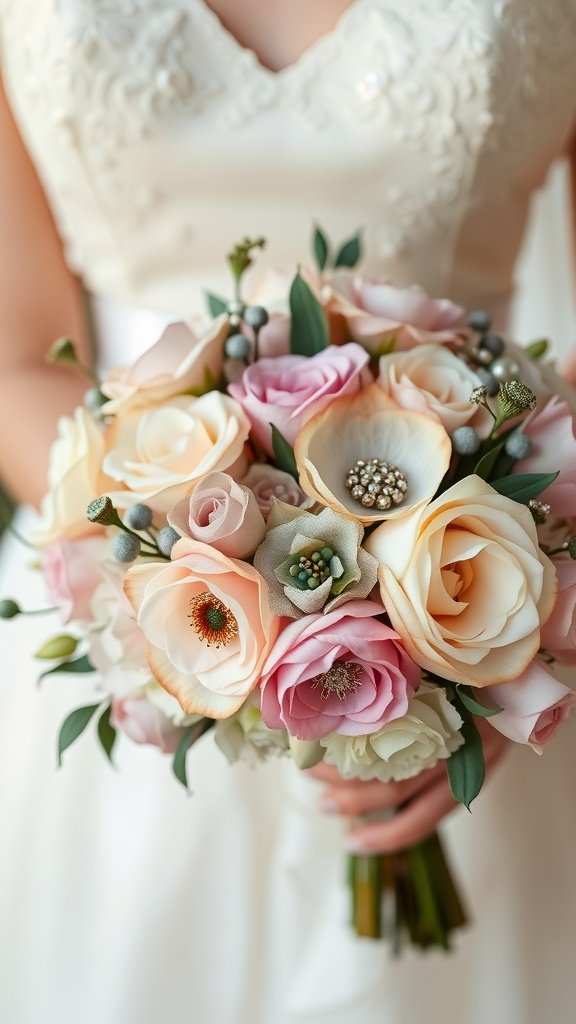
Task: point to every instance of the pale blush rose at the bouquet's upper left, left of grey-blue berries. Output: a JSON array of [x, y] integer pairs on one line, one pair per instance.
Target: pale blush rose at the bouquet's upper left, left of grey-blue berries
[[179, 362]]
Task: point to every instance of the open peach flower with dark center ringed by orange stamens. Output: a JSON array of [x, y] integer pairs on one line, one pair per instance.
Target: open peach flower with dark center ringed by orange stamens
[[209, 626]]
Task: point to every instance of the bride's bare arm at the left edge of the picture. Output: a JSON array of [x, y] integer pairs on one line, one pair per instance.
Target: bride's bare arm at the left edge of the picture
[[39, 302]]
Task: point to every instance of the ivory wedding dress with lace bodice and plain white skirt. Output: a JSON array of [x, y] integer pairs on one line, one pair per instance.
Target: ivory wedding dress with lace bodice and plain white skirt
[[160, 142]]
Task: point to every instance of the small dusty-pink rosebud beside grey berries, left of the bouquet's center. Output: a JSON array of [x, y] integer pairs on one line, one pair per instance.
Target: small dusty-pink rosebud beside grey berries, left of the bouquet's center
[[222, 514]]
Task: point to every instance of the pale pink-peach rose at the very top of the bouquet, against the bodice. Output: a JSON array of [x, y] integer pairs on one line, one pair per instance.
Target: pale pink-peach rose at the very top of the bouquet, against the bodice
[[379, 312]]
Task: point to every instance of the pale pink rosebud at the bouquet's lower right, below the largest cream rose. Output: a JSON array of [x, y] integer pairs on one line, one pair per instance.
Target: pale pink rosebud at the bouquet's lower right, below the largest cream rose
[[533, 706]]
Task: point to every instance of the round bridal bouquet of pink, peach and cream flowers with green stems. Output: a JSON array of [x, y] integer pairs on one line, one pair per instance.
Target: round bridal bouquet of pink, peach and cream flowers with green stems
[[340, 529]]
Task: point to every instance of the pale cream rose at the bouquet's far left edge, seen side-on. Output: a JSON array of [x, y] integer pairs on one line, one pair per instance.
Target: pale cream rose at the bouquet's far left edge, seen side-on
[[75, 478]]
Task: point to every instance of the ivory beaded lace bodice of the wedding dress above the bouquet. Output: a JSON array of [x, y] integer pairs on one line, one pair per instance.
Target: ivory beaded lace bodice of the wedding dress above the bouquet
[[161, 141]]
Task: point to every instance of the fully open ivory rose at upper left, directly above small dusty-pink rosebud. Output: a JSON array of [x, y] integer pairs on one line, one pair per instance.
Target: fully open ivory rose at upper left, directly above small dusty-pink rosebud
[[162, 453]]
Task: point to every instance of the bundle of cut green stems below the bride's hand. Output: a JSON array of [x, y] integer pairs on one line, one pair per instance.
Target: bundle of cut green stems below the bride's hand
[[406, 897]]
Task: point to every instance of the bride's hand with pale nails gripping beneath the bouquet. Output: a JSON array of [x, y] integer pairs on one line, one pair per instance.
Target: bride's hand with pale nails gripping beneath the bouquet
[[420, 803]]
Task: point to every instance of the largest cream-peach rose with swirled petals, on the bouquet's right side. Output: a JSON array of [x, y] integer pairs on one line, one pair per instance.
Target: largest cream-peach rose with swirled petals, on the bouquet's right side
[[466, 584]]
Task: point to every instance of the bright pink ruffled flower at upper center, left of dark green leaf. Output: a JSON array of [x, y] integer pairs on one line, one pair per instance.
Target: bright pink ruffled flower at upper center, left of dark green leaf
[[290, 391]]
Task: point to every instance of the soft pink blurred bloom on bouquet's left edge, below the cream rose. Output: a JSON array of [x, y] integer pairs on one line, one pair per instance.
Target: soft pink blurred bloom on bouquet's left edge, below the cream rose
[[72, 573]]
